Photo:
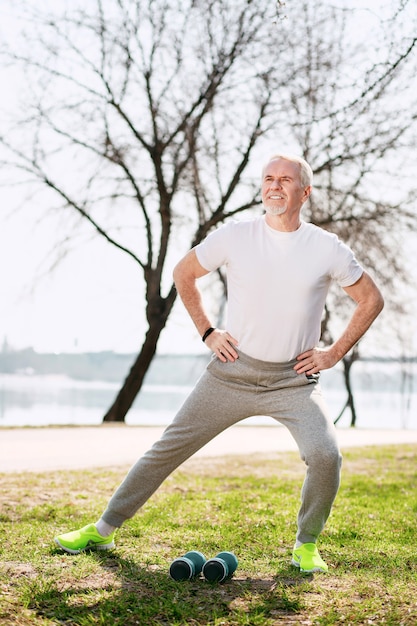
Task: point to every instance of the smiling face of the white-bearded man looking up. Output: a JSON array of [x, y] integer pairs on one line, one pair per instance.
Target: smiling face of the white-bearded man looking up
[[282, 191]]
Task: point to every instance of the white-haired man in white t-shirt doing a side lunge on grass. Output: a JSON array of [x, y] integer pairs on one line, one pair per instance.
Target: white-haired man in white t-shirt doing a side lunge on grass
[[267, 361]]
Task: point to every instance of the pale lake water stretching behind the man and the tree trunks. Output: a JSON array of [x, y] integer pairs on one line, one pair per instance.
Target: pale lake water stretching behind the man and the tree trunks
[[385, 397]]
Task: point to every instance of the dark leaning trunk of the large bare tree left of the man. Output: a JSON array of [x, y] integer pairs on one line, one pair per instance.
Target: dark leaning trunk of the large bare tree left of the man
[[134, 380]]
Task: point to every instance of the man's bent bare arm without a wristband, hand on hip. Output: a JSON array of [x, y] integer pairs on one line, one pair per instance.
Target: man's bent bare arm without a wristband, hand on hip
[[370, 303]]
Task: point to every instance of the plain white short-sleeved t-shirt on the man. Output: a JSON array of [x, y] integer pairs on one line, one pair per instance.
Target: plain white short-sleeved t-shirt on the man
[[277, 283]]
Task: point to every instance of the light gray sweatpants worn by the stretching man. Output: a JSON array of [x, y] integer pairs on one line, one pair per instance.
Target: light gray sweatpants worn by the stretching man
[[225, 394]]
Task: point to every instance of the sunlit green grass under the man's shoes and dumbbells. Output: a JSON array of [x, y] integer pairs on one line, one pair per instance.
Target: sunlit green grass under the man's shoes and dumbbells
[[247, 505]]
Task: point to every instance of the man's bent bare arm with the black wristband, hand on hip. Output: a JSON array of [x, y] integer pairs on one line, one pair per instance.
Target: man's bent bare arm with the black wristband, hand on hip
[[186, 274]]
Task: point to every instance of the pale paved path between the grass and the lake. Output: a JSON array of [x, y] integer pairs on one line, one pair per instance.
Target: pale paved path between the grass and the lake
[[46, 449]]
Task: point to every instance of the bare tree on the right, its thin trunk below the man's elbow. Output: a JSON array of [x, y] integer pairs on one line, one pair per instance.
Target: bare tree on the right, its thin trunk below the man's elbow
[[358, 135]]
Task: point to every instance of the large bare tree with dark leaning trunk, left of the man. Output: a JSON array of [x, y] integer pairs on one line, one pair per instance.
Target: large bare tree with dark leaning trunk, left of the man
[[159, 104]]
